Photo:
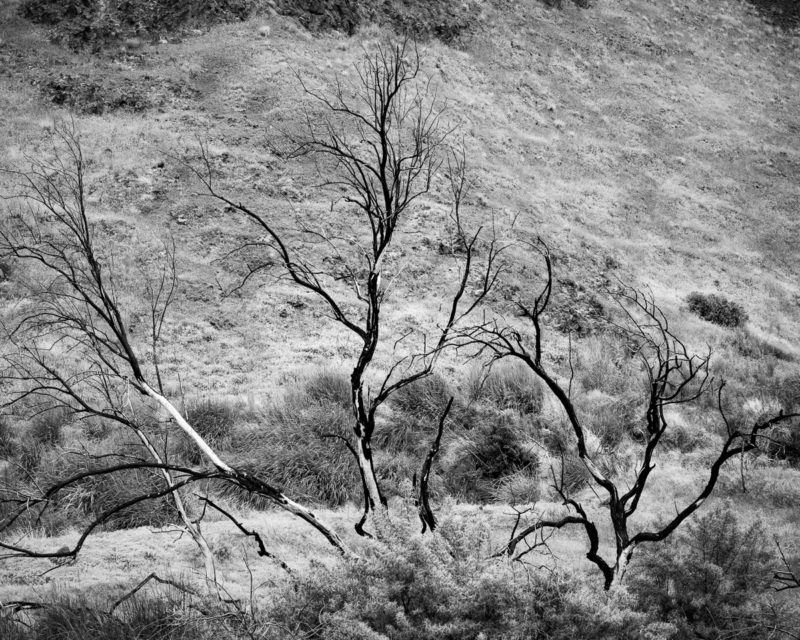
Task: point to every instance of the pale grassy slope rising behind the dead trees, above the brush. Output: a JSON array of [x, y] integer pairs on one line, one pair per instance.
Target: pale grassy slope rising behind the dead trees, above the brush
[[652, 141]]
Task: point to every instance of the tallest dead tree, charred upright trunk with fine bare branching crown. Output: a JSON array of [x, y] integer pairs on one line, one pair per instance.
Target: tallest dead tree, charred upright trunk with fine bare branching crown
[[380, 142]]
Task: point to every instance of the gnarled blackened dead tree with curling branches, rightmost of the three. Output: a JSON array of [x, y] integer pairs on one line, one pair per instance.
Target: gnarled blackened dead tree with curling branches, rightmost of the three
[[675, 376]]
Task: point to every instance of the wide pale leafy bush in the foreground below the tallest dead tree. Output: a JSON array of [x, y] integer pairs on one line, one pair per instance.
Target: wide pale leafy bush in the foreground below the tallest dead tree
[[442, 586]]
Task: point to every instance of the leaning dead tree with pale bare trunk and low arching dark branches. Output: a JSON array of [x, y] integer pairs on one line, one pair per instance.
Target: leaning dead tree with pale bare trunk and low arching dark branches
[[71, 344]]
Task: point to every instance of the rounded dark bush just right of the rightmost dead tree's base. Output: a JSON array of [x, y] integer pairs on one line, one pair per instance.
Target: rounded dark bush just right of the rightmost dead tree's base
[[710, 579]]
